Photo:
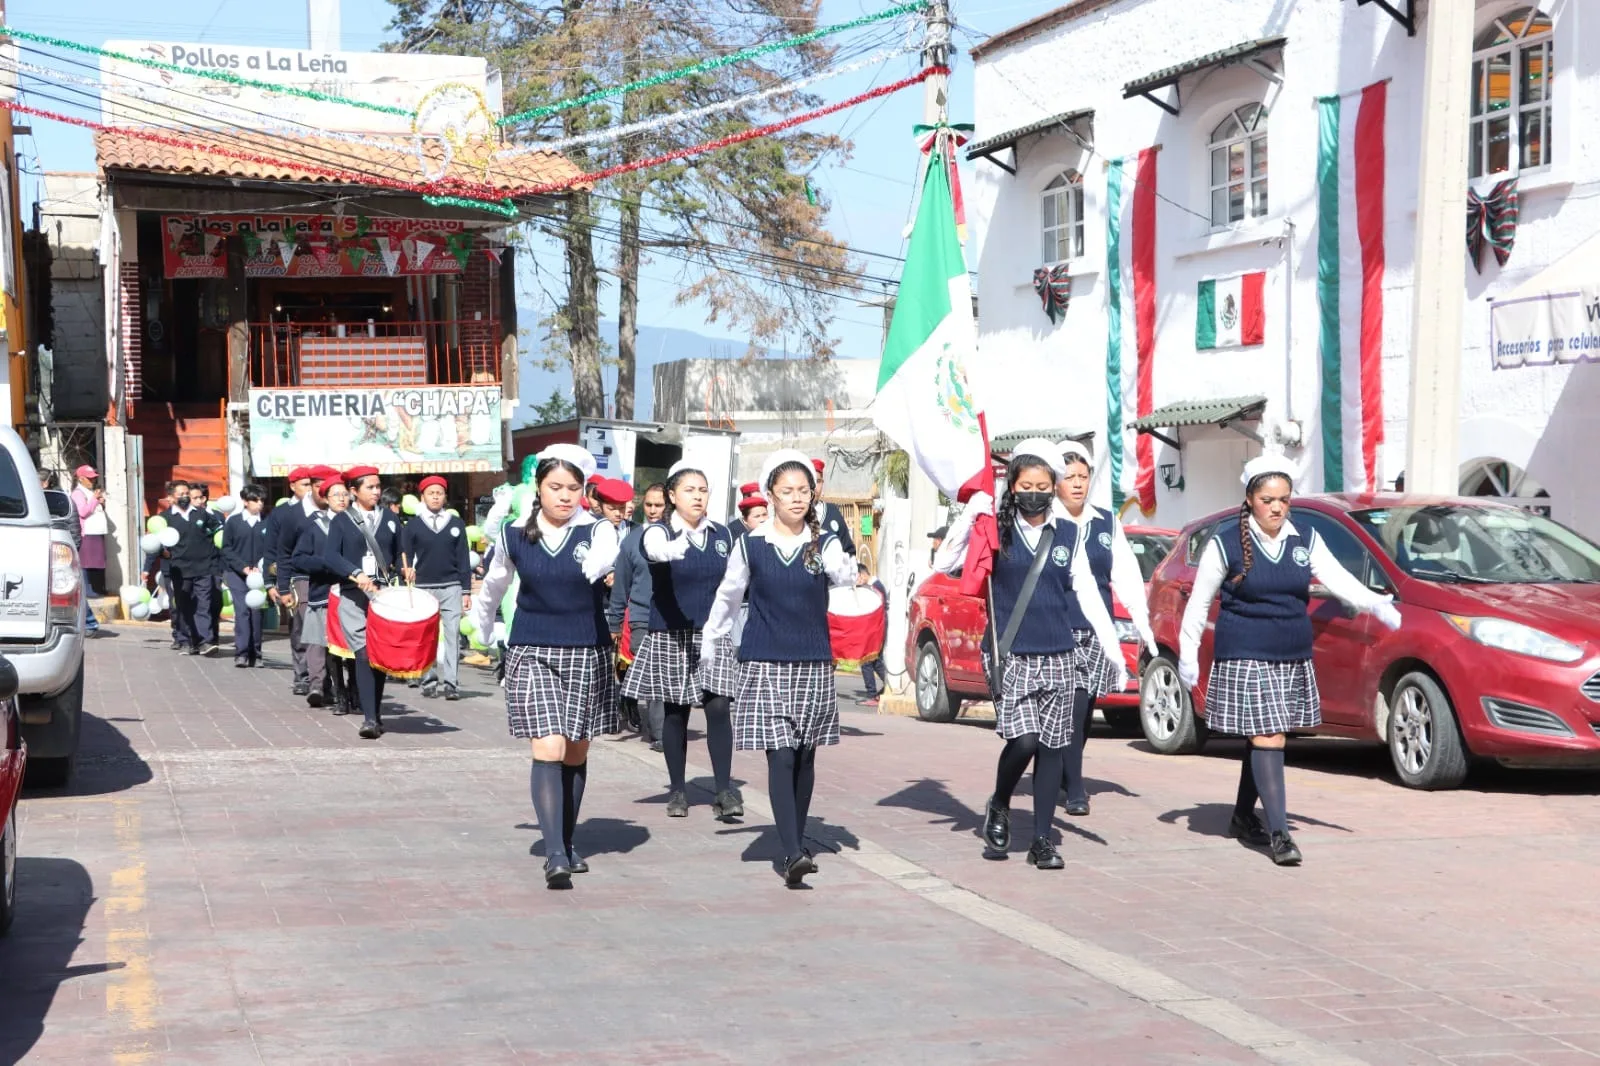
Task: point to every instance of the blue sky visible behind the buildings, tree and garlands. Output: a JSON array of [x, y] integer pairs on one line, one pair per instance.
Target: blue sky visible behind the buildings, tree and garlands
[[871, 191]]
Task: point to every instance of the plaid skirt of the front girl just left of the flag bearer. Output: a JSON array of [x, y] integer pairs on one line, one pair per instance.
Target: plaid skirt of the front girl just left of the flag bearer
[[785, 705]]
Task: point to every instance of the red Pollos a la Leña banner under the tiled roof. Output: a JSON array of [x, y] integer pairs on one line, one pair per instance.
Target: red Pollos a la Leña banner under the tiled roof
[[316, 246]]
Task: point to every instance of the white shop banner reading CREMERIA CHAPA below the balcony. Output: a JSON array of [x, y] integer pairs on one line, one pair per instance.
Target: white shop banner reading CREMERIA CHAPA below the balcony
[[401, 431]]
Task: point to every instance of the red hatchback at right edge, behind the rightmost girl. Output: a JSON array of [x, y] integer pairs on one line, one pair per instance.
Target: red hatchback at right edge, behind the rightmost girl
[[1498, 657]]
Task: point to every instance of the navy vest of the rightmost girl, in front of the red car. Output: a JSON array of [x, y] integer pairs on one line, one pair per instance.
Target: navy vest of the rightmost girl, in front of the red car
[[1265, 615]]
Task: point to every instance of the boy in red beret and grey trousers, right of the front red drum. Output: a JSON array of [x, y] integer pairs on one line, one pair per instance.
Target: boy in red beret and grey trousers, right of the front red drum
[[438, 561]]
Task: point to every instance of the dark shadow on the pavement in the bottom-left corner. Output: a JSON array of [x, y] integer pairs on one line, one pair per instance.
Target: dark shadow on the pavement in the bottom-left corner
[[54, 900]]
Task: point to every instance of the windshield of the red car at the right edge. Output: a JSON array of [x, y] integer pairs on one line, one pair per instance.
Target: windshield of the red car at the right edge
[[1481, 545]]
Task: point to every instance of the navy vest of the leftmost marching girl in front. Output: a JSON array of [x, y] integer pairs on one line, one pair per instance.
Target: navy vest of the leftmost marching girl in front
[[558, 607]]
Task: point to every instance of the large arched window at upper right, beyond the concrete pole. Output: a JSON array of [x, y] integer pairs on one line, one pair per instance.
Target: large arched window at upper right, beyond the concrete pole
[[1511, 94]]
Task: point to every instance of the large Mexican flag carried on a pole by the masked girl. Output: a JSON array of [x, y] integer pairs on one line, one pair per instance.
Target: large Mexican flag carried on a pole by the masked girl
[[926, 403]]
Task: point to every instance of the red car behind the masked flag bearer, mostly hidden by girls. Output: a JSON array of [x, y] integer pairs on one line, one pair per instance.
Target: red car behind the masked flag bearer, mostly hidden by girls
[[946, 631]]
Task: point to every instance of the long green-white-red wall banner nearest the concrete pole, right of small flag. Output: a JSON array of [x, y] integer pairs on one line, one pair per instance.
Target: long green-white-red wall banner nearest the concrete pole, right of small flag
[[1351, 286]]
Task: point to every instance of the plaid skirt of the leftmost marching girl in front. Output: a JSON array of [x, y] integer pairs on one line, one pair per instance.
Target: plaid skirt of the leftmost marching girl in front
[[561, 692]]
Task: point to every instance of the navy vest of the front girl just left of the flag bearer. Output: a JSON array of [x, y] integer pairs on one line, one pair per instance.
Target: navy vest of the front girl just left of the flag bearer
[[788, 620]]
